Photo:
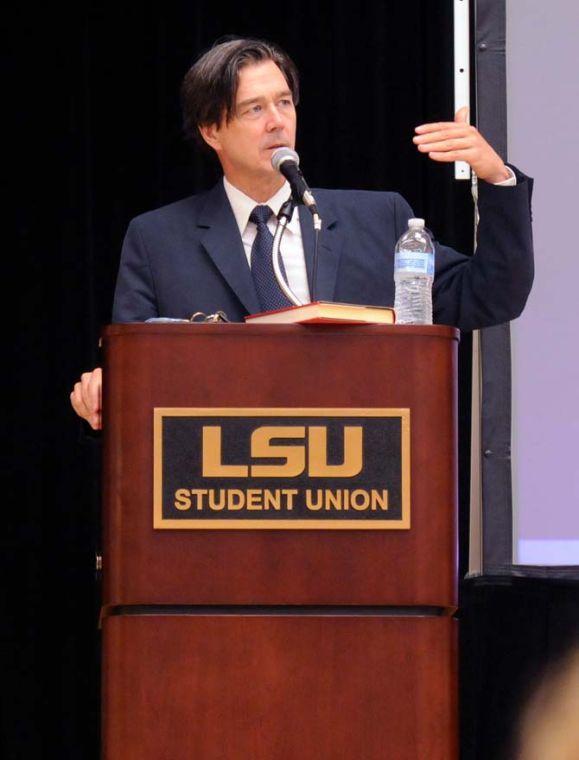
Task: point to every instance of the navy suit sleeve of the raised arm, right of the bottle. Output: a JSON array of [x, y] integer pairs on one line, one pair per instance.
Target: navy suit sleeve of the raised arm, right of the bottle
[[491, 287]]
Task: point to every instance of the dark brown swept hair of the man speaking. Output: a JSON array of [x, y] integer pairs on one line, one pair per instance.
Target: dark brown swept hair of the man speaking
[[210, 86]]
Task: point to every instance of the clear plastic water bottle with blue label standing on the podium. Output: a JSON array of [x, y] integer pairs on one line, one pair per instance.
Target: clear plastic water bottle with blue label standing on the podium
[[413, 275]]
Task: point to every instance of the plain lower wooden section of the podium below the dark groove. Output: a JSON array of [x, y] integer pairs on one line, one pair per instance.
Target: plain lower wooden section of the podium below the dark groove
[[280, 688]]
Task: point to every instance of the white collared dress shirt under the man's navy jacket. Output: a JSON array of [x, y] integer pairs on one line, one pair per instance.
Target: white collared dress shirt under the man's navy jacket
[[292, 247]]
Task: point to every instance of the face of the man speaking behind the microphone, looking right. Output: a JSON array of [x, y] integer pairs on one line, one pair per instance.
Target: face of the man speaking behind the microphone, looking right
[[264, 118]]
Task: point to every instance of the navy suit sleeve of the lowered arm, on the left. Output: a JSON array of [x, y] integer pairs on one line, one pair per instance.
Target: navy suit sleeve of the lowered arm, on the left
[[135, 299]]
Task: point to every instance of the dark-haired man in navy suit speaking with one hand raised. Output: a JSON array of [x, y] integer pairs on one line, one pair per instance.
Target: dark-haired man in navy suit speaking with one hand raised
[[197, 254]]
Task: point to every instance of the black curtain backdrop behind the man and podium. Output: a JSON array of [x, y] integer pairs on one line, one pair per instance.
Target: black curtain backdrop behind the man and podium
[[92, 102]]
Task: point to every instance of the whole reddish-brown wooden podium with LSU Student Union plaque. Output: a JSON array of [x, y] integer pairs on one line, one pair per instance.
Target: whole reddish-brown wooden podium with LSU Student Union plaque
[[247, 623]]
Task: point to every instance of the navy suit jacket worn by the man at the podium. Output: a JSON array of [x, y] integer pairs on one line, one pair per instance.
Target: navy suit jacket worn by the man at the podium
[[189, 257]]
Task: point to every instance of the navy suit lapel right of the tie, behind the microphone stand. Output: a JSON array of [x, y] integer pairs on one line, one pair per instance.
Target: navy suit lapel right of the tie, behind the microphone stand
[[329, 251]]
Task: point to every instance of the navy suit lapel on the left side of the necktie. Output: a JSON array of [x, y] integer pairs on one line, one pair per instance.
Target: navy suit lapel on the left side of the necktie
[[222, 241]]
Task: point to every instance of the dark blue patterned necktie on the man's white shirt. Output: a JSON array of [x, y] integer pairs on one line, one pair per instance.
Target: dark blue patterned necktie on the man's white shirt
[[269, 293]]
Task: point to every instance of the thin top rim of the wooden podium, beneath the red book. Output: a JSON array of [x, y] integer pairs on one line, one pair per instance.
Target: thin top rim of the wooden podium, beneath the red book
[[237, 328]]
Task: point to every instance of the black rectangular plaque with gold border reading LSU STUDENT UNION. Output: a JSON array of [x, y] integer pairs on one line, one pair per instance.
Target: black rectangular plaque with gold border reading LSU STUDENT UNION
[[272, 468]]
